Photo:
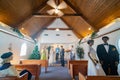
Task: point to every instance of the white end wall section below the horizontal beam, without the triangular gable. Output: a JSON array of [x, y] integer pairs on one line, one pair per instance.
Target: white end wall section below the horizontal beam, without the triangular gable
[[63, 38]]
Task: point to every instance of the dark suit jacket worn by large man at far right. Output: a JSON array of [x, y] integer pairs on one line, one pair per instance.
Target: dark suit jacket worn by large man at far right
[[109, 57]]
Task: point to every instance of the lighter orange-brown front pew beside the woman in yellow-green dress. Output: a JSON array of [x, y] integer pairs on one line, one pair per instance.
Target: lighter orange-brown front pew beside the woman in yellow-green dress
[[43, 63]]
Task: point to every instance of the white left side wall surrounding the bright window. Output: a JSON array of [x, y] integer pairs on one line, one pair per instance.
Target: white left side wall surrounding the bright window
[[6, 39]]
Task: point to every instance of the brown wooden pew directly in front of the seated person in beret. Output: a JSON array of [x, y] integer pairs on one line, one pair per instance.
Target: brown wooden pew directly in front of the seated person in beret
[[33, 68]]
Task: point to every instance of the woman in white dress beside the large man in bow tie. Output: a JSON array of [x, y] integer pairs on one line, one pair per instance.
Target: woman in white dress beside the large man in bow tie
[[93, 63]]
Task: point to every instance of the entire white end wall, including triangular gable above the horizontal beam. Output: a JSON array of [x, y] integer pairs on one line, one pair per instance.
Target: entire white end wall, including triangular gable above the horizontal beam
[[63, 38]]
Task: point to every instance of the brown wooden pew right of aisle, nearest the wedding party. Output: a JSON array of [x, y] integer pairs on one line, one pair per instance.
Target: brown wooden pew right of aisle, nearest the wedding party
[[78, 66]]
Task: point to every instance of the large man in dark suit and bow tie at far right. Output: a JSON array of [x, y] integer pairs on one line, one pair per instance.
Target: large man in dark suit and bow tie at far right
[[108, 56]]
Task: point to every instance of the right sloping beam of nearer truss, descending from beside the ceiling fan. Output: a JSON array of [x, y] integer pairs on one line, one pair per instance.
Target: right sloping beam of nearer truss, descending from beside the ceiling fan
[[82, 15]]
